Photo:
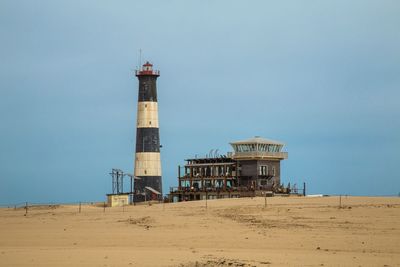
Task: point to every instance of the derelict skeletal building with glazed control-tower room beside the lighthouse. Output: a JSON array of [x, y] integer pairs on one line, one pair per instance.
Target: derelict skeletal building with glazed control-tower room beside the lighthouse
[[252, 169]]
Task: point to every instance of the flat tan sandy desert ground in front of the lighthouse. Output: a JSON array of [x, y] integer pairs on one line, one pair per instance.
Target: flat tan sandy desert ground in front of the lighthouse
[[288, 231]]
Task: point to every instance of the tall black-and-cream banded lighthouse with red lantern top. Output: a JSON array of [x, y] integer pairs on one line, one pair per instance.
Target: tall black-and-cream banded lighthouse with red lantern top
[[147, 158]]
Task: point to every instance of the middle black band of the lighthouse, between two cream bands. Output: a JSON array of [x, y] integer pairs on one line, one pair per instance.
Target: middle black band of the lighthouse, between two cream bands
[[147, 140]]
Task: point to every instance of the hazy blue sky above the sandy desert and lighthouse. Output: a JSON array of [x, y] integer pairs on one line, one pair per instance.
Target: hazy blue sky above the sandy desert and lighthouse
[[321, 76]]
